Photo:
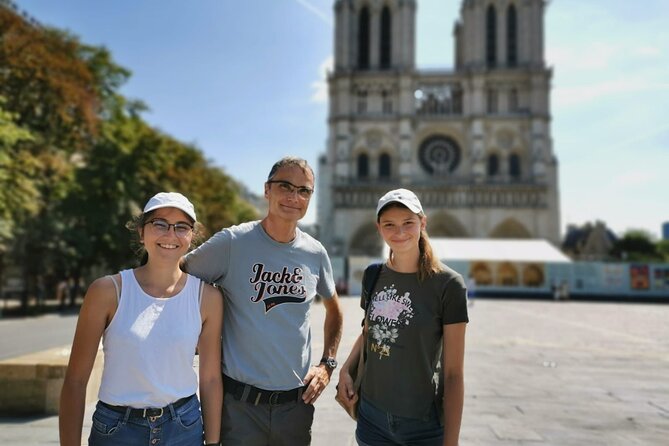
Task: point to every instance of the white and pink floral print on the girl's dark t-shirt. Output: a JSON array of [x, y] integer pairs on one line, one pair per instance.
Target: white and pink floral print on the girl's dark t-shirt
[[389, 312]]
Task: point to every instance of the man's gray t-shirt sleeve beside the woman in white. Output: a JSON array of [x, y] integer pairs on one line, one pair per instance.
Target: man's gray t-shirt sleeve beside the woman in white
[[210, 261]]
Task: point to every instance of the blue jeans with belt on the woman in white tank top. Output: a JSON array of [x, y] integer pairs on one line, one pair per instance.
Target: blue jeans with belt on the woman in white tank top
[[177, 427]]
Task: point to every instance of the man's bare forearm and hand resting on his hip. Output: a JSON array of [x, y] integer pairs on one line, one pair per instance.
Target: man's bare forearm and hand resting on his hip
[[319, 376]]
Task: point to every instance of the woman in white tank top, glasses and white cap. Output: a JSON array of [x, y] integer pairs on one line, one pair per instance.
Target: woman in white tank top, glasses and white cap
[[151, 320]]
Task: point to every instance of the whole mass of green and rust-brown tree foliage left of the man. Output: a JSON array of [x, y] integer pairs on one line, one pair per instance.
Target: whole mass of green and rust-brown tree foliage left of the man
[[77, 160]]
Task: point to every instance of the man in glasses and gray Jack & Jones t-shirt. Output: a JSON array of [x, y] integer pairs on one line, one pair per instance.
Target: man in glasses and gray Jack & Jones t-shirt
[[270, 273]]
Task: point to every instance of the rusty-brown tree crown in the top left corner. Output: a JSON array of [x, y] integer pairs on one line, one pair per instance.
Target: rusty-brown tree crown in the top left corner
[[47, 83]]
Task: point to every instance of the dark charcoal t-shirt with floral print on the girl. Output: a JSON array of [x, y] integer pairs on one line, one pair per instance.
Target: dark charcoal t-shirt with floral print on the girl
[[405, 339]]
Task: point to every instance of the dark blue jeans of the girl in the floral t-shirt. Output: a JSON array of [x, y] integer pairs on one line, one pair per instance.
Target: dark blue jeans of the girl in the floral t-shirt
[[379, 428]]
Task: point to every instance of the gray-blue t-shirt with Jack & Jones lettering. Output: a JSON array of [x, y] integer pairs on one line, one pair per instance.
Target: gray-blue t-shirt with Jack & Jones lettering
[[269, 287]]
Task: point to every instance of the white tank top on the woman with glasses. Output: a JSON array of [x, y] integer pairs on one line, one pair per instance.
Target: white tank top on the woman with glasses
[[149, 346]]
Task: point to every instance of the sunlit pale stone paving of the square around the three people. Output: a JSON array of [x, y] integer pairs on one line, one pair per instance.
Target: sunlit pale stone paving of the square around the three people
[[537, 373]]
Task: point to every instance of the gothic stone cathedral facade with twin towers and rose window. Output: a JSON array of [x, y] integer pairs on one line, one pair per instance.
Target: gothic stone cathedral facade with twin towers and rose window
[[474, 143]]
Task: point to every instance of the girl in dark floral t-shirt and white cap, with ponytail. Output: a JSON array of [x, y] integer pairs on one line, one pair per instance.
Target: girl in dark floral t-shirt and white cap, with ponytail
[[417, 315]]
